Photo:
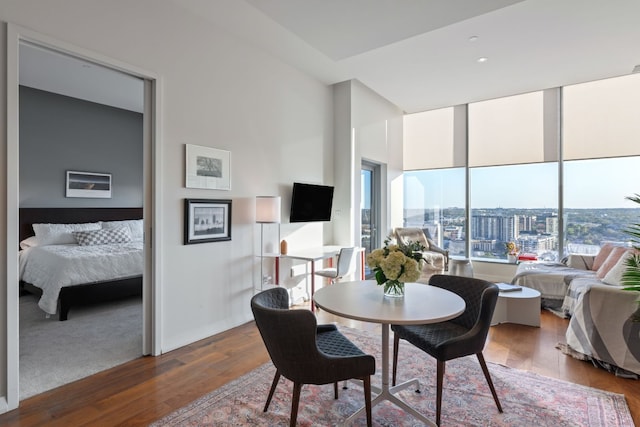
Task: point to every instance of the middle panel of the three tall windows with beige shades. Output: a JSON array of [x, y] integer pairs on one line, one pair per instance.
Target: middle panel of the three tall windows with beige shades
[[513, 176]]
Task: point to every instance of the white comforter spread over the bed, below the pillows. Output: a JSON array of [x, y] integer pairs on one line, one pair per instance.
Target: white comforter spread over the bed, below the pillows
[[53, 267]]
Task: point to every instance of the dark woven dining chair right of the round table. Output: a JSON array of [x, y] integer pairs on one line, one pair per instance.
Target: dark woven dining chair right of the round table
[[463, 336]]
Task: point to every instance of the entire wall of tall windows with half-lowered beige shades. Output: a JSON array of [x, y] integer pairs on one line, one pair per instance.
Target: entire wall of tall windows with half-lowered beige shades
[[548, 171]]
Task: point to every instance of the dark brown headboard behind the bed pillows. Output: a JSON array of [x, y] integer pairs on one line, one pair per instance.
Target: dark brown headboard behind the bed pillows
[[29, 216]]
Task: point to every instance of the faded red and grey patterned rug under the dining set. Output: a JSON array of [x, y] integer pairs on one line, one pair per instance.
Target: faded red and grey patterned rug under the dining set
[[527, 399]]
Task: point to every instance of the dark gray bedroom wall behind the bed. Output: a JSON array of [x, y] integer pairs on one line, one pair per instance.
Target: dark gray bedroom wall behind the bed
[[59, 133]]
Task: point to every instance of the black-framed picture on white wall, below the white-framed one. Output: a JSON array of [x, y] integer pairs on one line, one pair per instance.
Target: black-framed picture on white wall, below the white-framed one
[[206, 220]]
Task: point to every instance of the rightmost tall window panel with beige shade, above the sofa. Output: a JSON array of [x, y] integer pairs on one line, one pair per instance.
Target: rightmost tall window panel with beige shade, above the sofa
[[601, 140]]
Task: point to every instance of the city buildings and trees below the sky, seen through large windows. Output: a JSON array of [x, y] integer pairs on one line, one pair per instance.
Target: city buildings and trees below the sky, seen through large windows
[[535, 231]]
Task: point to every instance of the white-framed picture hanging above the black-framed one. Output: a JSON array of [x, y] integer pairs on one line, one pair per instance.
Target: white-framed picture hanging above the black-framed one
[[207, 168]]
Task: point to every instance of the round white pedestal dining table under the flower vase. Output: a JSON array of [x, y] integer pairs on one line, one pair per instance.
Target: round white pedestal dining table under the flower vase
[[364, 300]]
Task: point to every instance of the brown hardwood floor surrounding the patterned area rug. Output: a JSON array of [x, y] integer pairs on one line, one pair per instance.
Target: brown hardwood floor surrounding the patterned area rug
[[144, 390]]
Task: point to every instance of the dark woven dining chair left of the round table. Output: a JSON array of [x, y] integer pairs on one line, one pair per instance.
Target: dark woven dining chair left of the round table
[[305, 352]]
